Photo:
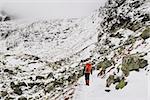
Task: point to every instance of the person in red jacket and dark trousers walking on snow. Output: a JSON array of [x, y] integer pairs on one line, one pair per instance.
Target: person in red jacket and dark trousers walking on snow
[[87, 70]]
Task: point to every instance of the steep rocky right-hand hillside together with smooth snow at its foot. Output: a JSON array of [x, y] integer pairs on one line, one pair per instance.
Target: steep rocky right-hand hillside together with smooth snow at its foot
[[123, 38]]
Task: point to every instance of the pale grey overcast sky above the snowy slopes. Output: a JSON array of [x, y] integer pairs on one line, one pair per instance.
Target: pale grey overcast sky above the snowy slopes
[[50, 8]]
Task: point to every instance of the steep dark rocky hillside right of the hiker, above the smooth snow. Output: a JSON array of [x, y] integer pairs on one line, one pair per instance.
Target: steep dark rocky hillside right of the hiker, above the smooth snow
[[124, 43]]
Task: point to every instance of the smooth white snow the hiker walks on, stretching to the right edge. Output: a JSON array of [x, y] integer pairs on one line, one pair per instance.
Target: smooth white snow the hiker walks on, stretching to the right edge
[[136, 89]]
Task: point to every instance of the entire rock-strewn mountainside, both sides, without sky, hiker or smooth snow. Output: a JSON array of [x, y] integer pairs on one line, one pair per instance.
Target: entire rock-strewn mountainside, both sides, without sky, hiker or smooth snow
[[43, 59]]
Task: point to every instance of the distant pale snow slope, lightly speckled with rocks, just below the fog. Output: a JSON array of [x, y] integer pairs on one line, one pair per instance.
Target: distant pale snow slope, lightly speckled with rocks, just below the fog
[[51, 40]]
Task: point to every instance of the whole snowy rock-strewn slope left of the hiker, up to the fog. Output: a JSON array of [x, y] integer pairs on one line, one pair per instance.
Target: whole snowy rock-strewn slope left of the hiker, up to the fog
[[38, 58]]
